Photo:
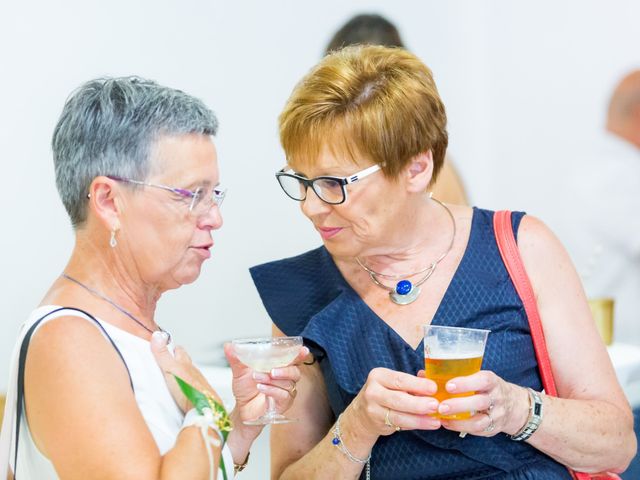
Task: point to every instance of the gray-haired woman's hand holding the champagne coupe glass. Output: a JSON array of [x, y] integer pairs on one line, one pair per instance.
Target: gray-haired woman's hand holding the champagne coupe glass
[[251, 388]]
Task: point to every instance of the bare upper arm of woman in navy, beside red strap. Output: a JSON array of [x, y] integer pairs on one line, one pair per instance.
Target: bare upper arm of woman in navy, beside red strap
[[581, 365]]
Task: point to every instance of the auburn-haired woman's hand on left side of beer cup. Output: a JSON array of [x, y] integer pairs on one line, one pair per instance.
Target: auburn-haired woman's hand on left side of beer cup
[[392, 400]]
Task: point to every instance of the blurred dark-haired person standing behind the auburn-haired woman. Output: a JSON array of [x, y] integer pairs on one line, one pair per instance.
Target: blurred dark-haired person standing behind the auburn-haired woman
[[372, 29]]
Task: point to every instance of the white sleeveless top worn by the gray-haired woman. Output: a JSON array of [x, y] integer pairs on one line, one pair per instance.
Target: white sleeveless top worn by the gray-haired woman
[[162, 415]]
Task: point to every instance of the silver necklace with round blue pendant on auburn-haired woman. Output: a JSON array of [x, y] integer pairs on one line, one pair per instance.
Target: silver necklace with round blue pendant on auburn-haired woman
[[406, 292]]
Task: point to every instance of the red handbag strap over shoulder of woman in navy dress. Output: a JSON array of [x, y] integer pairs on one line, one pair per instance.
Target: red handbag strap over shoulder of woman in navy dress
[[513, 262]]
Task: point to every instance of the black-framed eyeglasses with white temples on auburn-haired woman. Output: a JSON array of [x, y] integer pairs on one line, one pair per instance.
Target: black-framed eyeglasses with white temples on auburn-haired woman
[[329, 189]]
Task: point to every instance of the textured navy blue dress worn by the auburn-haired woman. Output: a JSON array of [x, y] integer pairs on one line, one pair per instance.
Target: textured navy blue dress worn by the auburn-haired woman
[[350, 340]]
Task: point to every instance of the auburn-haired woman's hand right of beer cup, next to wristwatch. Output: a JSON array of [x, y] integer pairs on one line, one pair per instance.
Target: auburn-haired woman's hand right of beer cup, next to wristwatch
[[500, 406]]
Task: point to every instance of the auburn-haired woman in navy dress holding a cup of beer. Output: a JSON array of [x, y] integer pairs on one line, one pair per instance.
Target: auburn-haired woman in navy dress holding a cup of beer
[[365, 135]]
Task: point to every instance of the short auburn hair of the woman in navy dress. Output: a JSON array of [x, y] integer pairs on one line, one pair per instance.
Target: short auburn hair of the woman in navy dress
[[379, 102]]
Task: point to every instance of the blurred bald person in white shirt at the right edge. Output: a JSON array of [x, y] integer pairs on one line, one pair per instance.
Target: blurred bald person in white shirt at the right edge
[[604, 234]]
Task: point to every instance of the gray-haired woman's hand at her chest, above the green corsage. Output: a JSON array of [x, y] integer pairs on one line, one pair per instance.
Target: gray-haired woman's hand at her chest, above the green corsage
[[179, 363]]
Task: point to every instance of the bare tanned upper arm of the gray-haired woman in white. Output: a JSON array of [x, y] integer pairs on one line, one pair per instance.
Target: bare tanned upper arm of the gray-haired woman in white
[[74, 381]]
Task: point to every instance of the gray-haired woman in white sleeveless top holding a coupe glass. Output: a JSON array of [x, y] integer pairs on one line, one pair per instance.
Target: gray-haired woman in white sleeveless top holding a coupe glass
[[95, 395]]
